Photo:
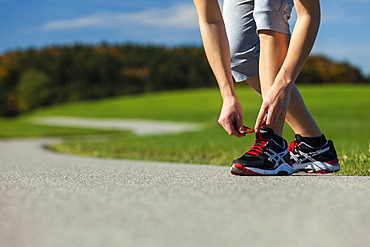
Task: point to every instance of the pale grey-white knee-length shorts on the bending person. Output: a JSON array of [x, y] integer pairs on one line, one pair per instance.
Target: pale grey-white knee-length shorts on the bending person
[[243, 19]]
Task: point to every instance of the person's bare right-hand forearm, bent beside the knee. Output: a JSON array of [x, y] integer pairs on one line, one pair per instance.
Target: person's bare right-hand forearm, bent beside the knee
[[302, 40]]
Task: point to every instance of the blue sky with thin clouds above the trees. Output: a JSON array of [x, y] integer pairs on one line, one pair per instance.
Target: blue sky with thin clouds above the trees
[[344, 34]]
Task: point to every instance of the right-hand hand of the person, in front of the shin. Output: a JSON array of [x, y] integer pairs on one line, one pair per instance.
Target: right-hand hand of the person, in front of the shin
[[274, 106]]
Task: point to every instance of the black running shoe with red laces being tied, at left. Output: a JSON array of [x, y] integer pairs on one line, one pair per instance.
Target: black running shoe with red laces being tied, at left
[[266, 157]]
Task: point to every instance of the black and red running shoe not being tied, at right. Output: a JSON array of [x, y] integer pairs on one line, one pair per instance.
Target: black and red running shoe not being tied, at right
[[313, 160]]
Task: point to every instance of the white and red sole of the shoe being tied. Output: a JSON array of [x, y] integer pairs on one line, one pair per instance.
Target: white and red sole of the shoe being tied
[[282, 170]]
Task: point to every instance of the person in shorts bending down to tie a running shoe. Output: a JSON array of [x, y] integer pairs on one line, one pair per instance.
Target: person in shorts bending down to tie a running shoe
[[251, 41]]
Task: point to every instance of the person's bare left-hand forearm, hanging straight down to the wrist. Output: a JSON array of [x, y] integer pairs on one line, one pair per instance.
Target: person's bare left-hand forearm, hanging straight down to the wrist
[[216, 44]]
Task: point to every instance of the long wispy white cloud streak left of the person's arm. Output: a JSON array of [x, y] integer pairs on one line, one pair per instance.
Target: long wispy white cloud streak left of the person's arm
[[180, 16]]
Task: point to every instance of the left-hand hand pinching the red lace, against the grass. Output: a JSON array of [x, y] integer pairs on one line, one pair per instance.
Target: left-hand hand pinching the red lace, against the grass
[[231, 117]]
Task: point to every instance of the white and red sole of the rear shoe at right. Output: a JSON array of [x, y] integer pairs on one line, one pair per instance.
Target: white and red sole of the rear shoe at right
[[317, 167]]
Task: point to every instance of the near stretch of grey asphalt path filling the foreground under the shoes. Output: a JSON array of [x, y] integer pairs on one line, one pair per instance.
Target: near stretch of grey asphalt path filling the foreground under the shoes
[[50, 199]]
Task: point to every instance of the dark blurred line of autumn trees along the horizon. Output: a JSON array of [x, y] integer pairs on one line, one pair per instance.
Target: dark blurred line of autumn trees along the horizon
[[33, 78]]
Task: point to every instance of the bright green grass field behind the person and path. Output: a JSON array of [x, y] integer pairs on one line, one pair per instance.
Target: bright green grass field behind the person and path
[[342, 112]]
